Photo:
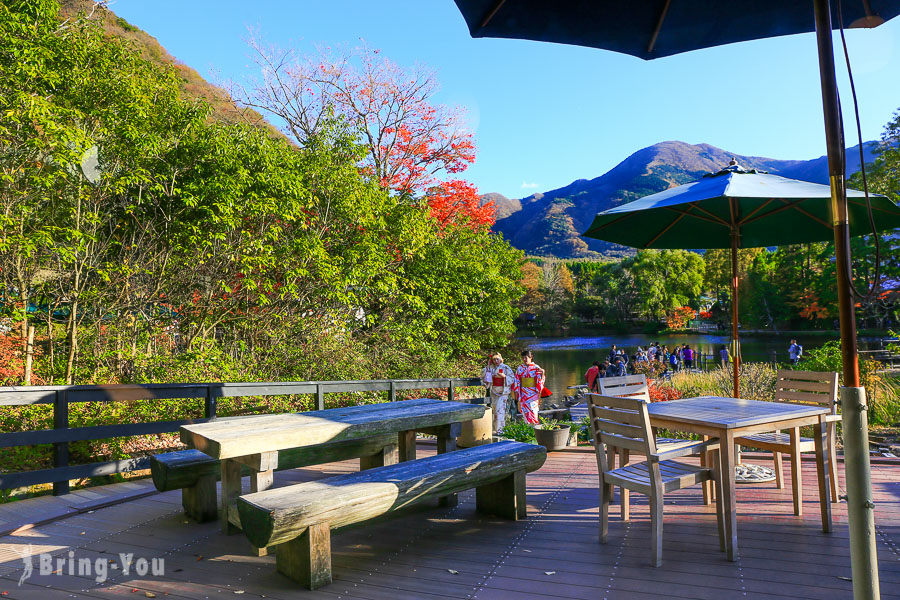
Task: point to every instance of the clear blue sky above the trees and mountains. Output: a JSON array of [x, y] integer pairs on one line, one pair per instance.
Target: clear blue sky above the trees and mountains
[[546, 114]]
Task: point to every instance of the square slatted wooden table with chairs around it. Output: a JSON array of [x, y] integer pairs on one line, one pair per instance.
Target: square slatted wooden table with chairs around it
[[729, 418]]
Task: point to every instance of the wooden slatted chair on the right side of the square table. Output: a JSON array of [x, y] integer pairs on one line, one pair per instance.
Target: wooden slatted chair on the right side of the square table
[[801, 387]]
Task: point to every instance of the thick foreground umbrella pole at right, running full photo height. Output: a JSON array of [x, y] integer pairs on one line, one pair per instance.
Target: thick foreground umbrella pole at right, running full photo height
[[860, 508]]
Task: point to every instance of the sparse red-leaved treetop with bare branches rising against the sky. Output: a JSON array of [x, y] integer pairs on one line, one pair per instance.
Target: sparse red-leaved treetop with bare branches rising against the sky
[[413, 146]]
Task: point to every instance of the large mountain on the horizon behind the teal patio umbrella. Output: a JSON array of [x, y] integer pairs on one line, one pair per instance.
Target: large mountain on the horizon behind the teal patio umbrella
[[550, 223]]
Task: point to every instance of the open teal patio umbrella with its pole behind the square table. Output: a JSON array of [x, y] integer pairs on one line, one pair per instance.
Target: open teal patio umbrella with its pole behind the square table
[[736, 208]]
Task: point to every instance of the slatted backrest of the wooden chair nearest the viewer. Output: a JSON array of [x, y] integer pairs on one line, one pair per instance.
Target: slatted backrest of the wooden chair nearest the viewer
[[621, 423]]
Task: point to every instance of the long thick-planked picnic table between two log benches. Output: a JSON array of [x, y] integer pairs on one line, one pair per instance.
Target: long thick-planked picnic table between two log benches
[[254, 441]]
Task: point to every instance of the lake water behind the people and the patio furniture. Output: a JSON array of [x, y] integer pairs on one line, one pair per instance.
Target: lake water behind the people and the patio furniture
[[565, 359]]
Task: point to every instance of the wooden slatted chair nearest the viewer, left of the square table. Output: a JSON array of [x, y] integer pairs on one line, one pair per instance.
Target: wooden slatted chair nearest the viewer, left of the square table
[[624, 423]]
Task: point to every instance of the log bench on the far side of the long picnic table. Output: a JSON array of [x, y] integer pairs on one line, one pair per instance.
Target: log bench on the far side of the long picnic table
[[196, 473]]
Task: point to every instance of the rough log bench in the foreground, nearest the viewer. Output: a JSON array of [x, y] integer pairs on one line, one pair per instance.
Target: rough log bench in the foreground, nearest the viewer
[[298, 519]]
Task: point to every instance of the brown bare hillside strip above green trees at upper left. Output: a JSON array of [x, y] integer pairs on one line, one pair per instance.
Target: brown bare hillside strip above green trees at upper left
[[193, 83]]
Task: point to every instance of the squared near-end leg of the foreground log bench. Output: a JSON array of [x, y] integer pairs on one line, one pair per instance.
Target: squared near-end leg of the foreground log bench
[[307, 558]]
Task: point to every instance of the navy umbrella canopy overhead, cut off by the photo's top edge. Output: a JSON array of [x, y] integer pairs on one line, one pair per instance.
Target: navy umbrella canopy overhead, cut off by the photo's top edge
[[652, 29]]
